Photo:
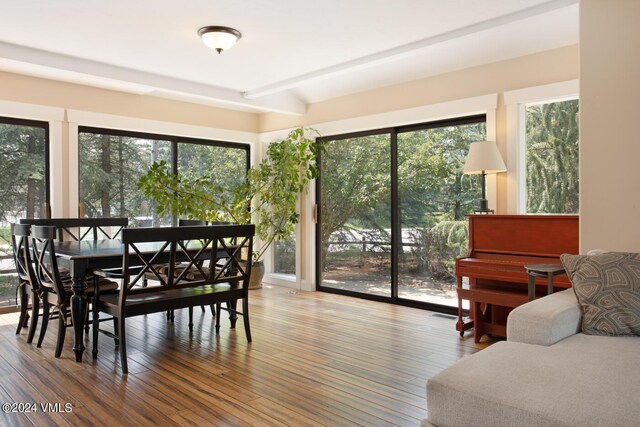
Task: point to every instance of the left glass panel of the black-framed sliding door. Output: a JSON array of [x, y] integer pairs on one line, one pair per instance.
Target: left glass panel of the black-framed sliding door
[[355, 198]]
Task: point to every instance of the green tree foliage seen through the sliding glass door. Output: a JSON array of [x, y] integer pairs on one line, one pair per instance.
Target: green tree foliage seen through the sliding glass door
[[356, 190]]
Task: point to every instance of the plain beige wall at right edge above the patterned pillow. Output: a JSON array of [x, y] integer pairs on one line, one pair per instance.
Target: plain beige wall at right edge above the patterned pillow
[[609, 131]]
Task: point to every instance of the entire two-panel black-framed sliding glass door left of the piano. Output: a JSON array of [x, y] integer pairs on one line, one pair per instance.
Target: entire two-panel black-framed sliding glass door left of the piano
[[391, 211]]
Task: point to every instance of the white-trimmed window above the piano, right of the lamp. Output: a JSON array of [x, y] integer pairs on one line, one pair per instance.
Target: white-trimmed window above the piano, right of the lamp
[[551, 158]]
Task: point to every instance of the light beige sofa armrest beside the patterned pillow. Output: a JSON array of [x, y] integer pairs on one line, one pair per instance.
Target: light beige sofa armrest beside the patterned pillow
[[545, 321]]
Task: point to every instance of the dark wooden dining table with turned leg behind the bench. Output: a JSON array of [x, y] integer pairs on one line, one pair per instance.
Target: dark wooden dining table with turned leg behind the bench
[[83, 257]]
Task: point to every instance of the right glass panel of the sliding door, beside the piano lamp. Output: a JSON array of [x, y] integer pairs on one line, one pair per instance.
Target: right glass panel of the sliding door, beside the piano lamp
[[433, 198]]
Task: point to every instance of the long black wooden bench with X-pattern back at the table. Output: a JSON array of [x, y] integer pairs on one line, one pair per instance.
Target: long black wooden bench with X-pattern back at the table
[[174, 291]]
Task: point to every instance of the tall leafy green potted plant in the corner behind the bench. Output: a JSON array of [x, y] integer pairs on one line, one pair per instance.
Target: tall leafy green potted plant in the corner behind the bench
[[267, 197]]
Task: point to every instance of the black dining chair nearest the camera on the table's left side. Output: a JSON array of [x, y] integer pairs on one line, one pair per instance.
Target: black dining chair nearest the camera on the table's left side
[[56, 287]]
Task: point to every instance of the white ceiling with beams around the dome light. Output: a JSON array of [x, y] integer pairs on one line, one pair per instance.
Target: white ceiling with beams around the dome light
[[292, 52]]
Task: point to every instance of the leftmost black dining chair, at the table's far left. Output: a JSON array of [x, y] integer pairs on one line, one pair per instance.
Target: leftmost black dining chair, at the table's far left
[[28, 285]]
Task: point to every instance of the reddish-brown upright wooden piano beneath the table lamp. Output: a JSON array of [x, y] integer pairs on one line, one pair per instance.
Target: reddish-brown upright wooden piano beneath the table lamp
[[499, 247]]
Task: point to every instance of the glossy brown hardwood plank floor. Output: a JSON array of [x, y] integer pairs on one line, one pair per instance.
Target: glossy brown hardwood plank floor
[[316, 359]]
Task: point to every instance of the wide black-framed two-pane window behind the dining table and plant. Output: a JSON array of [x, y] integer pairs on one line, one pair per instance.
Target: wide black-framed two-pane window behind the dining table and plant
[[112, 162]]
